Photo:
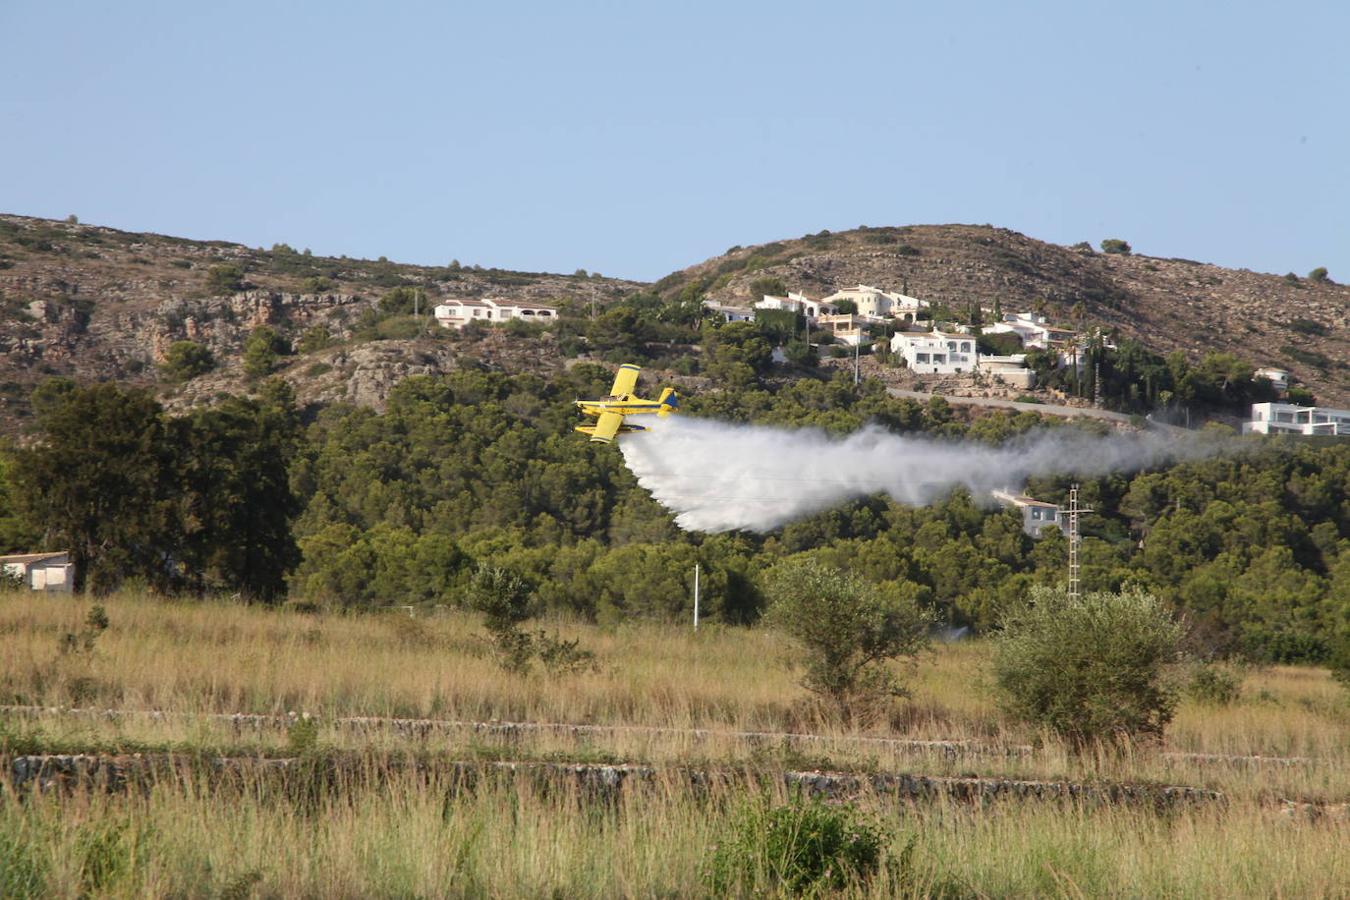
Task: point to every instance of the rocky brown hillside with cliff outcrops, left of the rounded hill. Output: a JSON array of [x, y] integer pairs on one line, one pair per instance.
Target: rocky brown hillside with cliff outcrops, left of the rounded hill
[[102, 304]]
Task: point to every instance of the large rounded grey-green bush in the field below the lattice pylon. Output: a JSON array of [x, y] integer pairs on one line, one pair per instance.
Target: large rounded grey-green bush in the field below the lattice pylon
[[1091, 669]]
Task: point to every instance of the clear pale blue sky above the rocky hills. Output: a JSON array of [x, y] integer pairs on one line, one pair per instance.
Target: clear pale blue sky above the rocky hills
[[638, 138]]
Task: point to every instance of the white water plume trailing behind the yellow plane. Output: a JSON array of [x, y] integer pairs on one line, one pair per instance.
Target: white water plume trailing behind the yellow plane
[[720, 477]]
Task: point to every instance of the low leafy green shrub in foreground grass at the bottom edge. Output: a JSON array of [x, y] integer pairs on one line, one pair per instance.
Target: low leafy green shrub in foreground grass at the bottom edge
[[800, 848]]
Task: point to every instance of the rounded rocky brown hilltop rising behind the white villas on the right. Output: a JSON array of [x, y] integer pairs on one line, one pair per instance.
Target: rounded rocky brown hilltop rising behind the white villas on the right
[[1167, 304]]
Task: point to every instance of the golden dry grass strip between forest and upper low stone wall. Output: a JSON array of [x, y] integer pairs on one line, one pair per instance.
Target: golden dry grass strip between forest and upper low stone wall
[[222, 658]]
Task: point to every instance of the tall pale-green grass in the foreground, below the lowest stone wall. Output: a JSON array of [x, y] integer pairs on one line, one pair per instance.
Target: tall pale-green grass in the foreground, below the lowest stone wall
[[418, 837]]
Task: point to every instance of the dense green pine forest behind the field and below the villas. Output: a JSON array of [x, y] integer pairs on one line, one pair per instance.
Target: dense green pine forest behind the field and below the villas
[[365, 509]]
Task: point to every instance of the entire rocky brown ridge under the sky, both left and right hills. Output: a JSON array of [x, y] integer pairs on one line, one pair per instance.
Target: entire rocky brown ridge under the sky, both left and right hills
[[103, 304]]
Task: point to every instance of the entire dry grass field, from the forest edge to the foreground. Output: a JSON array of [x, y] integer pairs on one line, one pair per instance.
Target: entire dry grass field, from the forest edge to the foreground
[[416, 835]]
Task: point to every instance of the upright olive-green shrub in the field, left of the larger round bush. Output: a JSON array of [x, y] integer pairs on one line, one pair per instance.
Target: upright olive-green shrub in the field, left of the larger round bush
[[850, 632]]
